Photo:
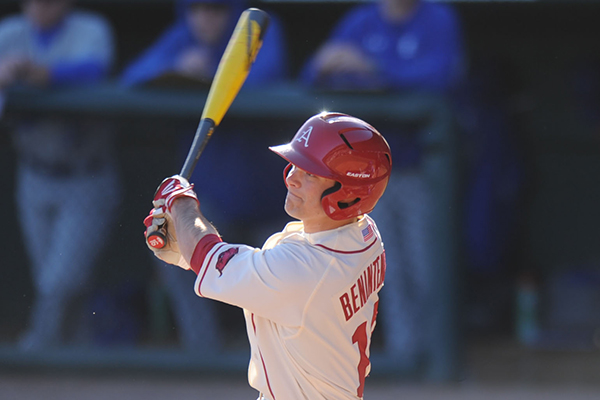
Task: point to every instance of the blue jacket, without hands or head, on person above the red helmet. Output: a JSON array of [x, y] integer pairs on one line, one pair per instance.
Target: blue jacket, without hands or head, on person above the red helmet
[[423, 53]]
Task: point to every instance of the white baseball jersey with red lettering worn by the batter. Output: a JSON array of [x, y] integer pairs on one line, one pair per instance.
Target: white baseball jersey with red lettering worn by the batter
[[310, 302]]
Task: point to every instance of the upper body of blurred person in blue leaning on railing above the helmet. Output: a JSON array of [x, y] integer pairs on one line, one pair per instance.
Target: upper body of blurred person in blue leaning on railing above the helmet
[[391, 45]]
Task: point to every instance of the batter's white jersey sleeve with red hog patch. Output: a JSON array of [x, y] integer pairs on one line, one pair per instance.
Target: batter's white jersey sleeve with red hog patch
[[274, 283]]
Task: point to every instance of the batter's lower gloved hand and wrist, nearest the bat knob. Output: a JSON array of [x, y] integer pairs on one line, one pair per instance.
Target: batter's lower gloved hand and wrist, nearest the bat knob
[[159, 221]]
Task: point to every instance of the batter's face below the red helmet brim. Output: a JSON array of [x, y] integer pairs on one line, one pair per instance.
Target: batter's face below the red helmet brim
[[303, 200]]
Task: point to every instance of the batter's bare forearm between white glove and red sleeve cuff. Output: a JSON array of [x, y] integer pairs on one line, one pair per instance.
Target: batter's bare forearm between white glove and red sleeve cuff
[[190, 226]]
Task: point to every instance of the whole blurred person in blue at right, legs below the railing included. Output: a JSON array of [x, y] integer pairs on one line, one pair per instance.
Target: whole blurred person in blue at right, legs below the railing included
[[403, 46]]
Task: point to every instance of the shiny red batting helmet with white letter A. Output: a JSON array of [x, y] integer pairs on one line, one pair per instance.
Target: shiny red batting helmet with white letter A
[[348, 150]]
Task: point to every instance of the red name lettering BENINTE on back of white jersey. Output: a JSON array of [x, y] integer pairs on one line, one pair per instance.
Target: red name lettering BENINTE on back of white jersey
[[371, 280]]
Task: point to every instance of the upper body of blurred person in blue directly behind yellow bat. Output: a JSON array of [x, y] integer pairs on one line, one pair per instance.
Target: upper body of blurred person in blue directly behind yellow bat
[[192, 46]]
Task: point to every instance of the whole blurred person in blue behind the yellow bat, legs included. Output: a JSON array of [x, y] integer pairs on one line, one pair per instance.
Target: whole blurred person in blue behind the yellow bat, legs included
[[192, 48]]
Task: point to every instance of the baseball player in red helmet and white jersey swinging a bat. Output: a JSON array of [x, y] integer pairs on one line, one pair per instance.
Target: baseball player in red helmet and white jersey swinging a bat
[[310, 294]]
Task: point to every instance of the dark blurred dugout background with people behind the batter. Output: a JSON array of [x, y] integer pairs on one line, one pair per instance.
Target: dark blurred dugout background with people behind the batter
[[492, 215]]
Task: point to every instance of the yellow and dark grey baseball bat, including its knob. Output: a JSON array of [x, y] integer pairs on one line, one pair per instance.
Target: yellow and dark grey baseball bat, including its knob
[[234, 66]]
